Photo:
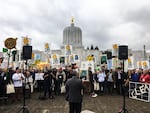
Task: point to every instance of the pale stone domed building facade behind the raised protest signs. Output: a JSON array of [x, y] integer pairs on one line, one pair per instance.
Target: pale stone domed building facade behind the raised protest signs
[[72, 51]]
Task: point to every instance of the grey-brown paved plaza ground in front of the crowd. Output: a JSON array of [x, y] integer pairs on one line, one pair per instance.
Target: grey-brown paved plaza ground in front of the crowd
[[100, 104]]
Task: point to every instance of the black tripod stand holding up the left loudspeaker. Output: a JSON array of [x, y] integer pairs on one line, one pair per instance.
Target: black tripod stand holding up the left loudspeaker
[[24, 108]]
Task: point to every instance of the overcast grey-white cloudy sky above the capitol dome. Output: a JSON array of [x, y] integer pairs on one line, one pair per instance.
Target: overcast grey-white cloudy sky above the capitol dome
[[103, 22]]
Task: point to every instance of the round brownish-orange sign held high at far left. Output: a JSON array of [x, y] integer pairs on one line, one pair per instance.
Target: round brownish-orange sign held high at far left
[[10, 43]]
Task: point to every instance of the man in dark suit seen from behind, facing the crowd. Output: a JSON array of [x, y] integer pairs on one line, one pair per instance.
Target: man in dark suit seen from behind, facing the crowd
[[74, 93]]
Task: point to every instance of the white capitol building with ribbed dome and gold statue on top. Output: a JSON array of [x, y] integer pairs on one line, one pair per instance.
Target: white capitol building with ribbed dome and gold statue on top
[[73, 51]]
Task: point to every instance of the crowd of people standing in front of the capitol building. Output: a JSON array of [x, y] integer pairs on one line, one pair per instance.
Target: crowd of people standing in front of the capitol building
[[109, 81]]
